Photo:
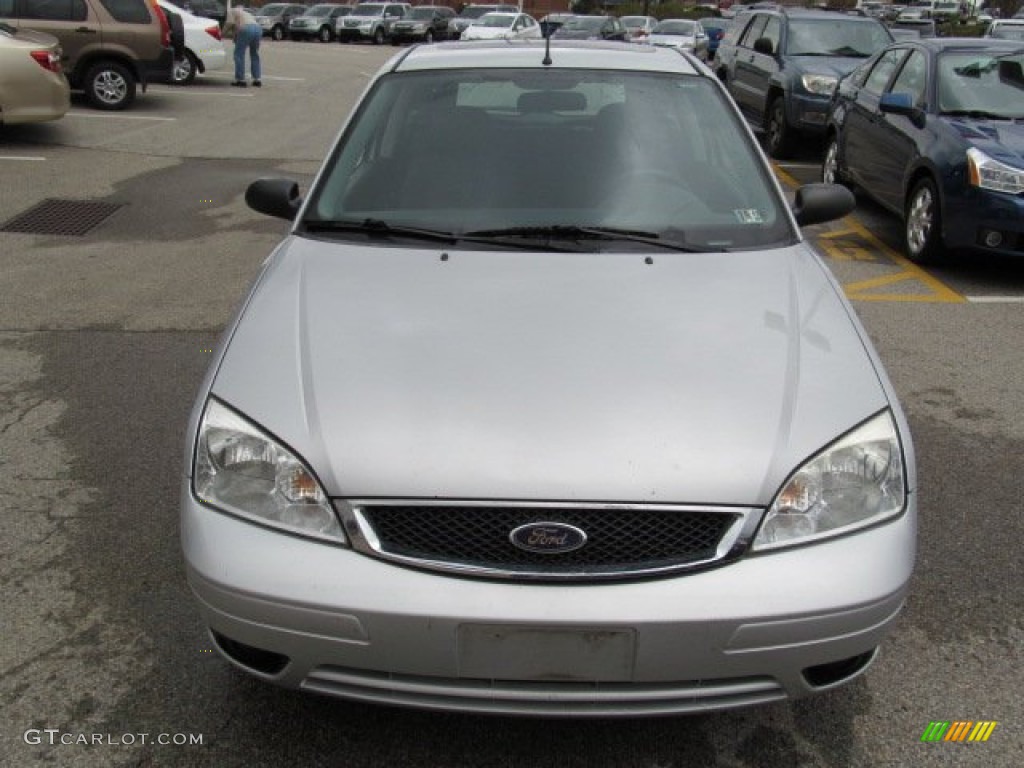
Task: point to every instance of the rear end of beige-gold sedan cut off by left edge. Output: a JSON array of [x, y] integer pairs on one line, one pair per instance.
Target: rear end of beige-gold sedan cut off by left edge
[[33, 89]]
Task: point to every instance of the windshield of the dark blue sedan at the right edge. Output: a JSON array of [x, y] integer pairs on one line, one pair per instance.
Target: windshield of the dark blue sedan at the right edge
[[983, 83]]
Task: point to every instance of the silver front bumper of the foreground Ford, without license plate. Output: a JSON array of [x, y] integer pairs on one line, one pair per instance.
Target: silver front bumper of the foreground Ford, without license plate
[[347, 625]]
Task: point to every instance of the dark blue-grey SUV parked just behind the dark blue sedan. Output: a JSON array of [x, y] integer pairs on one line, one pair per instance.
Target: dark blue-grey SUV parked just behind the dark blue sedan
[[783, 66]]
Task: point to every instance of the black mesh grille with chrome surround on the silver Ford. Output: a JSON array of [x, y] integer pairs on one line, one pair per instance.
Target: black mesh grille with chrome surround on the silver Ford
[[621, 541]]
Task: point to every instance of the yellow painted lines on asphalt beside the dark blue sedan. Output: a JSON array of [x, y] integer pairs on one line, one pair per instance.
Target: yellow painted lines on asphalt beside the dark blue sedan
[[940, 292]]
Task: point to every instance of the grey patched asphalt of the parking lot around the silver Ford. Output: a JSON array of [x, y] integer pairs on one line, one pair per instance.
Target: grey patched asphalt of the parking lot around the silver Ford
[[105, 338]]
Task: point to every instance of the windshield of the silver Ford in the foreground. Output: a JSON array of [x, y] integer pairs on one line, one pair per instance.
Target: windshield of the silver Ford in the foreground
[[495, 150]]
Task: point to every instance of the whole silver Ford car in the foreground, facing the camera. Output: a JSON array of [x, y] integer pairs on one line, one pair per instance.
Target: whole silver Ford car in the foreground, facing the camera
[[545, 406]]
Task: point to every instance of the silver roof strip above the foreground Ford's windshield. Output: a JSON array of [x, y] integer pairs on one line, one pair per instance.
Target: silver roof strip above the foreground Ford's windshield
[[530, 54]]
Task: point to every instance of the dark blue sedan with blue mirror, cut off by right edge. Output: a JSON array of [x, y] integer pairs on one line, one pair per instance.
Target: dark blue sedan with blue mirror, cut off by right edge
[[934, 132]]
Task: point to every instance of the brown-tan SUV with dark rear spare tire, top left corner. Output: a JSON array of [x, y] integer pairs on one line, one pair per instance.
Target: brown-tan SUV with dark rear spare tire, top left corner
[[111, 48]]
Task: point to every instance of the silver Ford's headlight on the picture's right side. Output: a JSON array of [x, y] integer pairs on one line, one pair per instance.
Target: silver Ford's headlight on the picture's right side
[[857, 482]]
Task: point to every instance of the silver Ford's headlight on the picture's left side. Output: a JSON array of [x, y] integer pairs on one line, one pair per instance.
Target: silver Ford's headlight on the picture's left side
[[246, 473]]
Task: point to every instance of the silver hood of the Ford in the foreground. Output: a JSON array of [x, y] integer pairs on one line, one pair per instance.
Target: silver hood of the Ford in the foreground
[[700, 378]]
